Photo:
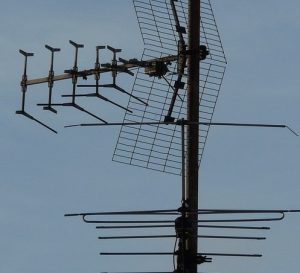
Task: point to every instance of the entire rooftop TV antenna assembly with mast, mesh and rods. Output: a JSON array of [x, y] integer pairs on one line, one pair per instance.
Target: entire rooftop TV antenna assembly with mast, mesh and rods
[[166, 123]]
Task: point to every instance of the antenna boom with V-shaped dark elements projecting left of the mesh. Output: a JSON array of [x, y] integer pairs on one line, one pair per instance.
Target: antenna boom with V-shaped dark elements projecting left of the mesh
[[74, 74]]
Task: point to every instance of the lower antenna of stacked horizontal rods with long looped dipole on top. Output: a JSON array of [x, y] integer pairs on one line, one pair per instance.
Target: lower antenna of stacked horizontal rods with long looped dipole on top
[[171, 224]]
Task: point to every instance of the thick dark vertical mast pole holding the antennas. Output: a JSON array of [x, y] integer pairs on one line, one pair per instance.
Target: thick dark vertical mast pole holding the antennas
[[192, 133]]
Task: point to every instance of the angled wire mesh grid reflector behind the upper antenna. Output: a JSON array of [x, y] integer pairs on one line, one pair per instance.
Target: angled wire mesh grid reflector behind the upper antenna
[[158, 147]]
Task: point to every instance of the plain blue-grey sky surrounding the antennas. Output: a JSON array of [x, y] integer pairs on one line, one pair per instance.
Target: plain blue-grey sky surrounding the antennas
[[44, 176]]
